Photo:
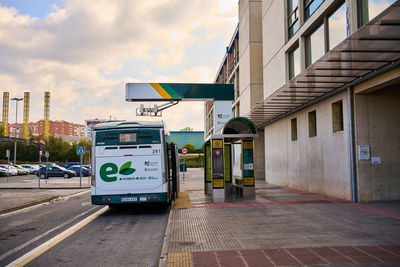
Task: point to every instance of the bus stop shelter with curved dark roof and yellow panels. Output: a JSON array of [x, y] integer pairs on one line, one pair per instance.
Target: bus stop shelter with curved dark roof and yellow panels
[[229, 161]]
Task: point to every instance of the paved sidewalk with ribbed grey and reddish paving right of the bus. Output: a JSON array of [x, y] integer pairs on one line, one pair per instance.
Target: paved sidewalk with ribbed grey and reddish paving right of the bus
[[280, 227]]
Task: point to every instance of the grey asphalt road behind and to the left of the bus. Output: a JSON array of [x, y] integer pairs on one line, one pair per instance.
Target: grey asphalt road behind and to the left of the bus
[[131, 236]]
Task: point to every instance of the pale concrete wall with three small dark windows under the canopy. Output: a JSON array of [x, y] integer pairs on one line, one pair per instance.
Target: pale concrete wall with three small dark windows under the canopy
[[317, 164]]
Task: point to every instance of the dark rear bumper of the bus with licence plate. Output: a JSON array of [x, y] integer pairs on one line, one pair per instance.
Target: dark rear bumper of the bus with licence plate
[[129, 198]]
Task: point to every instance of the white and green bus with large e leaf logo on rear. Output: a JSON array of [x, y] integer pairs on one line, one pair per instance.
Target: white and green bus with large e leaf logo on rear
[[132, 162]]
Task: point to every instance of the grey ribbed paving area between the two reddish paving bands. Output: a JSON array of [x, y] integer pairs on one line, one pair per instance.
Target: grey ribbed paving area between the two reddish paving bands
[[270, 227]]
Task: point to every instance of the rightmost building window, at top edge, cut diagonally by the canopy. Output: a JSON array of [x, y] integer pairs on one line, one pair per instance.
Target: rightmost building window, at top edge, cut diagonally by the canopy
[[369, 9]]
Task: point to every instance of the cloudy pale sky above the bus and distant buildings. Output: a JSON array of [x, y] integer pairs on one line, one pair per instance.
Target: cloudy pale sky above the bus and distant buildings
[[84, 52]]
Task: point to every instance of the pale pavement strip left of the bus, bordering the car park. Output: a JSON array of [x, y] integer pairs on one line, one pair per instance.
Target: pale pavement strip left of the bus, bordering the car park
[[23, 194]]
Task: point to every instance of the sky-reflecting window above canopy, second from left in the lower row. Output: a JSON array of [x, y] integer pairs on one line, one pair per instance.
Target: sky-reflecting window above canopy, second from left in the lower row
[[315, 45]]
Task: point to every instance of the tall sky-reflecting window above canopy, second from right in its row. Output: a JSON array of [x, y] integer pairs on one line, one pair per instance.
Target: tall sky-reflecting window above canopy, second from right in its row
[[337, 26]]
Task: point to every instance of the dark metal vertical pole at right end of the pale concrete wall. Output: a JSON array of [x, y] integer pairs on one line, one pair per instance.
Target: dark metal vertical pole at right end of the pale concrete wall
[[353, 171]]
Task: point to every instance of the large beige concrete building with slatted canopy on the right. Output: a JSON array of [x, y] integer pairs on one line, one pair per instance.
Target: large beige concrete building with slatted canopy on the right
[[328, 108]]
